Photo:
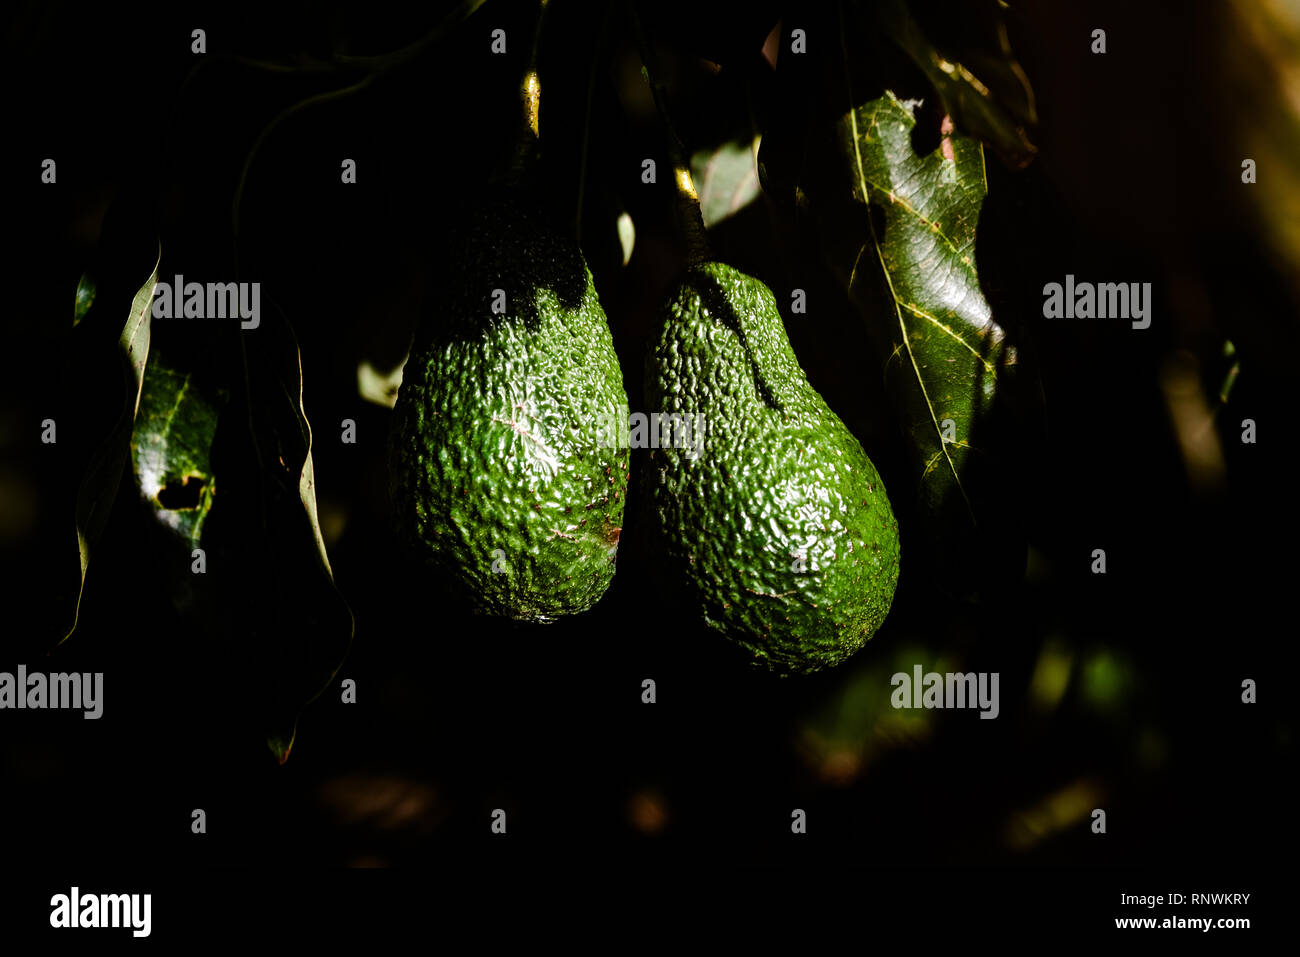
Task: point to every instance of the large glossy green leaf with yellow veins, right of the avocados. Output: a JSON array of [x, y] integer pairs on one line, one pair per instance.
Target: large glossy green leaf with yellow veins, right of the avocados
[[912, 272]]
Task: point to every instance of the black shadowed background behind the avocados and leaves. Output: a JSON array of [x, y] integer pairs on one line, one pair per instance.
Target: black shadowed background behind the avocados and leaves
[[1138, 179]]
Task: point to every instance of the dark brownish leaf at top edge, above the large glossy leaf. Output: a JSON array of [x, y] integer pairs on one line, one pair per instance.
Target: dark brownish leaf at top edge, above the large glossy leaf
[[982, 86]]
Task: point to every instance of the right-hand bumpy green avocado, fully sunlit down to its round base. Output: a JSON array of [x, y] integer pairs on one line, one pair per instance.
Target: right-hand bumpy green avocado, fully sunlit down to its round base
[[779, 530]]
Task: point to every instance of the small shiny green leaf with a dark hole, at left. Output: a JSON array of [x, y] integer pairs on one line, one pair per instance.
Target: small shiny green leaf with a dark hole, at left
[[172, 449]]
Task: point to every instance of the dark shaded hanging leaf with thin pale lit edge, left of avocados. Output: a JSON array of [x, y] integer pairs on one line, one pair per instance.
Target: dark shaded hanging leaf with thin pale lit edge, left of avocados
[[287, 622]]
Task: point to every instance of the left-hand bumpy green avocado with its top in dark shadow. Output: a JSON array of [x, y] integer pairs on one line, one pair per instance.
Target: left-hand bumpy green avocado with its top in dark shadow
[[501, 474]]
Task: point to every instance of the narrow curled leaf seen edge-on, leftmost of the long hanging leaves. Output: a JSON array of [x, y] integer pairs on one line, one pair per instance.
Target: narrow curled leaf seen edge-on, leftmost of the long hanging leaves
[[103, 470]]
